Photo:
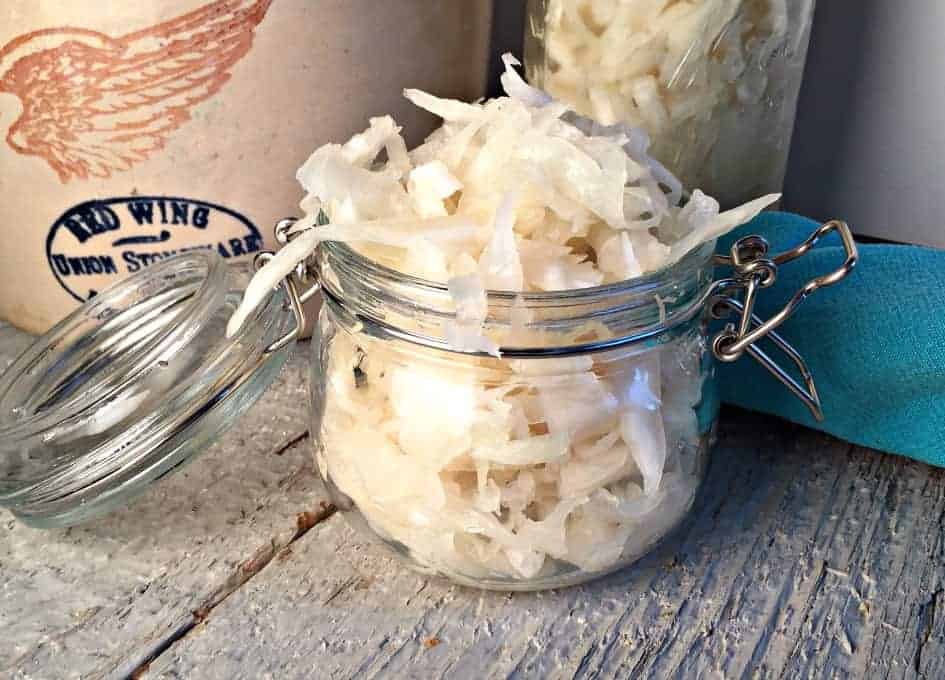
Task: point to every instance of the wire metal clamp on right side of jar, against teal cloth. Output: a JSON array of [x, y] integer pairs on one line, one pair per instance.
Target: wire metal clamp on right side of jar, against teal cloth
[[754, 270]]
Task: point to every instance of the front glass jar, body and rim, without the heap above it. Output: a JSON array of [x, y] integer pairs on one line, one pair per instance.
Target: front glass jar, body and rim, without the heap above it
[[567, 458]]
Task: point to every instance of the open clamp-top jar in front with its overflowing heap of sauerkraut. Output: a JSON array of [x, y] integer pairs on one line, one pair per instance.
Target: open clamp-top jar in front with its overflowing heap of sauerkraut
[[512, 377]]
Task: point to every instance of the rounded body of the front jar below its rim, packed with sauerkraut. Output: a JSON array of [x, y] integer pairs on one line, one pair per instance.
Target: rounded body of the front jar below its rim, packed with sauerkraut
[[512, 473]]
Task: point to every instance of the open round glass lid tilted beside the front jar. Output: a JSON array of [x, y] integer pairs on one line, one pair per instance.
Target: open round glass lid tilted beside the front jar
[[131, 386]]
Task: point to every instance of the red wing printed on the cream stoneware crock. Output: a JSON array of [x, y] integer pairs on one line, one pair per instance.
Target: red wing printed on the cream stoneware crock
[[94, 105]]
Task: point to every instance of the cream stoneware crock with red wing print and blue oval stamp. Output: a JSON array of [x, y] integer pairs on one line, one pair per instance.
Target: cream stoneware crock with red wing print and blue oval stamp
[[212, 103]]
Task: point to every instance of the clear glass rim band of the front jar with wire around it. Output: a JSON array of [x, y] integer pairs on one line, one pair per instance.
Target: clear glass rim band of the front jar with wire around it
[[392, 304]]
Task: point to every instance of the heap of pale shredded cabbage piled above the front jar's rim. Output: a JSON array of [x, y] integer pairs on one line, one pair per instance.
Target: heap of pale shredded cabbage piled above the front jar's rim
[[538, 198]]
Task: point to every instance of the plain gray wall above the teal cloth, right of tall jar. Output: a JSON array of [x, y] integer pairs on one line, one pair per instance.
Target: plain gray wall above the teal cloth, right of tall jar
[[869, 145]]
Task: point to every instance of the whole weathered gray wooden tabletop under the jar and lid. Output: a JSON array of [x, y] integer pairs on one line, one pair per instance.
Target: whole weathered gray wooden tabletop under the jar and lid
[[806, 558]]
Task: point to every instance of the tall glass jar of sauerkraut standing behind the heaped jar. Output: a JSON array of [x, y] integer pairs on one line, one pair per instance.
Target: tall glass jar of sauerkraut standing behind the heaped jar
[[714, 82]]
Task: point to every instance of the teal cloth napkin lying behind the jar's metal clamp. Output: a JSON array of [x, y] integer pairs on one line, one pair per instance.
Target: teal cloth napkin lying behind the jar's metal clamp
[[875, 342]]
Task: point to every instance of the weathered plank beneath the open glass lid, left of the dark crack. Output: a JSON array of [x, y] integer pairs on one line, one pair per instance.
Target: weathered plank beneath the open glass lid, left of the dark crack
[[100, 599]]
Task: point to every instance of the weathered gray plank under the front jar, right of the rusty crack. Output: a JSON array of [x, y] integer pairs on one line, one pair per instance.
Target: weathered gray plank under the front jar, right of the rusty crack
[[806, 558]]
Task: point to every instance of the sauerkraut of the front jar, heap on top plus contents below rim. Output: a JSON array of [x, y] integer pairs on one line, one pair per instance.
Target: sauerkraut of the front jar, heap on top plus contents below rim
[[484, 467]]
